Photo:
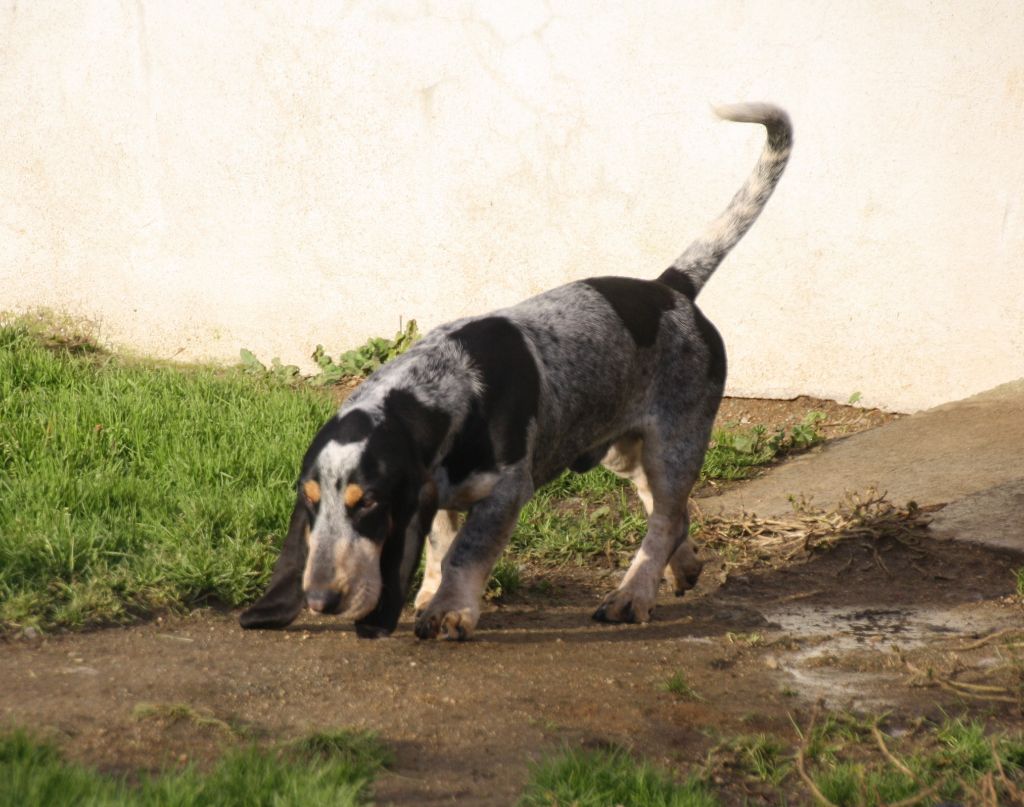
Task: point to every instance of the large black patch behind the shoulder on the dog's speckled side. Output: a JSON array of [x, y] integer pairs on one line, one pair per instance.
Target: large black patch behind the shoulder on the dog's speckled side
[[511, 392]]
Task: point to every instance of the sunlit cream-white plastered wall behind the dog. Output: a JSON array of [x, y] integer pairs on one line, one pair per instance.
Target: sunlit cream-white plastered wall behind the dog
[[206, 177]]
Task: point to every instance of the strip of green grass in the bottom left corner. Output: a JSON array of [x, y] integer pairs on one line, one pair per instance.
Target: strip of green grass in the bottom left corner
[[324, 770]]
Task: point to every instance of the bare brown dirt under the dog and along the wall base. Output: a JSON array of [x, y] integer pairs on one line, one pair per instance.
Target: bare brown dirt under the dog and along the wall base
[[852, 625]]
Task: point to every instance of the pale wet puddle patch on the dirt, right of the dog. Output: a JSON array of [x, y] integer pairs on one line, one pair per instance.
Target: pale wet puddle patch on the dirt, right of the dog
[[818, 671]]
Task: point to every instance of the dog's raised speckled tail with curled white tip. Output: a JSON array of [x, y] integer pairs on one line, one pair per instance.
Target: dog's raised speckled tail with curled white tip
[[692, 270]]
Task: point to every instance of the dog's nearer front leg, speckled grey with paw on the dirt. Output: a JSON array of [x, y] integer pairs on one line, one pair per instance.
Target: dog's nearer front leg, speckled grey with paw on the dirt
[[455, 609]]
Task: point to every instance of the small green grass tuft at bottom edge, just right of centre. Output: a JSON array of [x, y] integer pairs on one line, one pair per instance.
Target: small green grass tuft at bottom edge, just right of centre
[[601, 779]]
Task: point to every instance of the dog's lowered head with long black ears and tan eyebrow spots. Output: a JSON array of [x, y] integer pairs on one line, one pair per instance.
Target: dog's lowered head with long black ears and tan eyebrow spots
[[364, 506]]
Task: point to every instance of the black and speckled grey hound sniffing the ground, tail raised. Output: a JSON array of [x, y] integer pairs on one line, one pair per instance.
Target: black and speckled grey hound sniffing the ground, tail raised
[[483, 412]]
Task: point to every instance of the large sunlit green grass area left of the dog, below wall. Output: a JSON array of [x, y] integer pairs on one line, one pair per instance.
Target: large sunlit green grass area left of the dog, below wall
[[127, 487]]
